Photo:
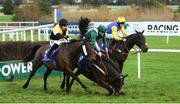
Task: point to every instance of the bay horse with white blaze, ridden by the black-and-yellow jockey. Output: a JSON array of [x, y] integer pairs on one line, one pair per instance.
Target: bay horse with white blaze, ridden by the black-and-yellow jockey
[[65, 59]]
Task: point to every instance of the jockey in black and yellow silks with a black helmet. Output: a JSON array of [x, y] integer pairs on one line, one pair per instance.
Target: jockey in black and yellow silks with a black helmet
[[58, 34]]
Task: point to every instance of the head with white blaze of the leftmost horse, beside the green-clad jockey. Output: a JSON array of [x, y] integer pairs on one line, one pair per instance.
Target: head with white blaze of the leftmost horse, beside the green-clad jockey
[[88, 50]]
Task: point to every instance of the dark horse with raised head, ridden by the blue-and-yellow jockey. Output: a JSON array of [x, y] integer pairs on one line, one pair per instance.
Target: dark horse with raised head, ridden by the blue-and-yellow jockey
[[120, 50]]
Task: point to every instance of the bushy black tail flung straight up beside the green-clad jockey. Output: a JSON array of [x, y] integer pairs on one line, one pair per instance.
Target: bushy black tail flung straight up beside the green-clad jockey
[[83, 25]]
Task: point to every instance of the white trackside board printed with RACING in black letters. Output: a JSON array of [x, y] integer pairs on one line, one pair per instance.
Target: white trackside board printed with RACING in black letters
[[162, 28]]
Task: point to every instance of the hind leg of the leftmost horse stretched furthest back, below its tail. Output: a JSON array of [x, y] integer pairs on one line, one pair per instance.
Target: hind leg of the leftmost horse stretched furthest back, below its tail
[[35, 67]]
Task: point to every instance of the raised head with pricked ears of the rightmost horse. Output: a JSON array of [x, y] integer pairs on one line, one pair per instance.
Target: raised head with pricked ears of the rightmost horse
[[140, 41]]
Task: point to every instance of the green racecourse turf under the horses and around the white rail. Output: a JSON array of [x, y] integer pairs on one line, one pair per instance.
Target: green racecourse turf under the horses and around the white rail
[[159, 82]]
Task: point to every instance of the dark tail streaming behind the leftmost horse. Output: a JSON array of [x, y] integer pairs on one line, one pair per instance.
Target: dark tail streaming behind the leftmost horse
[[31, 55]]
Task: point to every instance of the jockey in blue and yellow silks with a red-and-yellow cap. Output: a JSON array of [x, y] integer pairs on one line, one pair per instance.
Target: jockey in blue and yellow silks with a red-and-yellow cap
[[116, 26]]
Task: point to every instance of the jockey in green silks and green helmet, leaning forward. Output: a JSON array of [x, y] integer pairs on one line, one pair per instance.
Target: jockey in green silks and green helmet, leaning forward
[[95, 34]]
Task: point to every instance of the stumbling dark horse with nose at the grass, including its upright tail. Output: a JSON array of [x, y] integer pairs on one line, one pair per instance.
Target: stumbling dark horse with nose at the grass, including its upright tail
[[101, 71]]
